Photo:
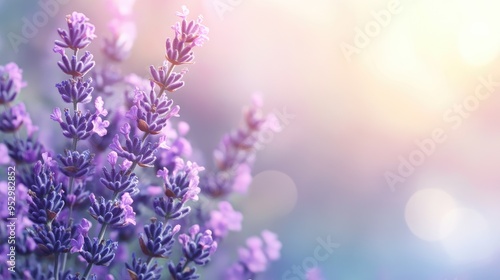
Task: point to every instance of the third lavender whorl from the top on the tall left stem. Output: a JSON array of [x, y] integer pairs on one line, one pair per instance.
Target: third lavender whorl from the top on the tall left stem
[[76, 91]]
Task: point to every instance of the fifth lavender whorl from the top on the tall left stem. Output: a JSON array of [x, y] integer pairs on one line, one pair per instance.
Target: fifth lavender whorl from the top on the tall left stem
[[76, 164]]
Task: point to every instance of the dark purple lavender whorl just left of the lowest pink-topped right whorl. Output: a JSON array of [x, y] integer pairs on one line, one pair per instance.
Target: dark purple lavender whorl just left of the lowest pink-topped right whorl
[[158, 239]]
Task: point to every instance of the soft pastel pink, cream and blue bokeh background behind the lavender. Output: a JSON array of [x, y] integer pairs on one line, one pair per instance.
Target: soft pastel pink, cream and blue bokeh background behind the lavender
[[365, 83]]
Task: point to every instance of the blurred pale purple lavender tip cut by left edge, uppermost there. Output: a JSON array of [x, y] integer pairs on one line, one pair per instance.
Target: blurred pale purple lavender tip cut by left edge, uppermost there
[[11, 82]]
